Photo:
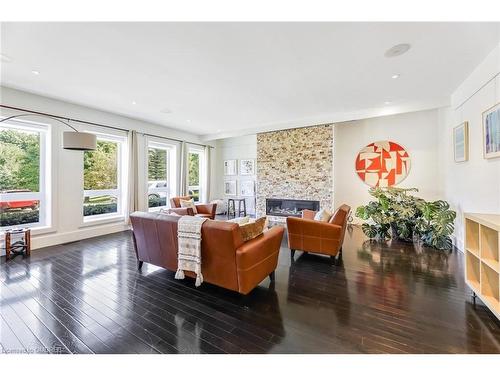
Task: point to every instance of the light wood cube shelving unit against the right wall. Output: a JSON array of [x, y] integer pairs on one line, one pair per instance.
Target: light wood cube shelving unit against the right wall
[[482, 256]]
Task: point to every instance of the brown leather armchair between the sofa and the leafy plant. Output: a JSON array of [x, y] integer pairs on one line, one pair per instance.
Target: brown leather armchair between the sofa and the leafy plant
[[313, 236]]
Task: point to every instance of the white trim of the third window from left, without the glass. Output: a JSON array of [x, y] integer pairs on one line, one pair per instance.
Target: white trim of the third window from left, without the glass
[[172, 149]]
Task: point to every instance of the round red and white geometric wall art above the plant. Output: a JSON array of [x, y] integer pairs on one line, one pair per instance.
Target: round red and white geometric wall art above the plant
[[383, 164]]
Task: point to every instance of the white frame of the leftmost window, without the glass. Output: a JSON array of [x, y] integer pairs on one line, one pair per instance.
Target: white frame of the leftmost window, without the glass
[[44, 194]]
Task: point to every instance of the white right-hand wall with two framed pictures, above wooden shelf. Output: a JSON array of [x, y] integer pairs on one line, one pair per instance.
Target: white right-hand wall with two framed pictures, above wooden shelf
[[474, 185]]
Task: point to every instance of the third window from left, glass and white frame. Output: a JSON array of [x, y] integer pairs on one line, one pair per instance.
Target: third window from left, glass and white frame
[[161, 174]]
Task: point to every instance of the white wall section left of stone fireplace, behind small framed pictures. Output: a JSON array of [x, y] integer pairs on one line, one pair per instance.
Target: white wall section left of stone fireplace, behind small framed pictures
[[244, 147]]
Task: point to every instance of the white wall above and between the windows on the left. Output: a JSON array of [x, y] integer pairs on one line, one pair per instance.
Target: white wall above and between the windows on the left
[[68, 165]]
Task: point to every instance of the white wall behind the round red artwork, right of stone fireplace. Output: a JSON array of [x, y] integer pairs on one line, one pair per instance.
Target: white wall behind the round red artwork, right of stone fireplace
[[416, 131]]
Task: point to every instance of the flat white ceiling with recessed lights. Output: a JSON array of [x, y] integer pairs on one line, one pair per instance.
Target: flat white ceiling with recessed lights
[[221, 79]]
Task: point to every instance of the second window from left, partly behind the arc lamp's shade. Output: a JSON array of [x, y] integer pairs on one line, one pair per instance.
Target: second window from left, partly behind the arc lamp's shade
[[104, 179]]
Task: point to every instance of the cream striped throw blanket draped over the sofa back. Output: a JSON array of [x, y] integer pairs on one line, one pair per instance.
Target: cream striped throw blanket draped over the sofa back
[[189, 252]]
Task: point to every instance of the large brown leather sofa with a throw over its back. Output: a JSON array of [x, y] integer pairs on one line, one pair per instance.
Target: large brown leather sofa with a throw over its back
[[227, 261]]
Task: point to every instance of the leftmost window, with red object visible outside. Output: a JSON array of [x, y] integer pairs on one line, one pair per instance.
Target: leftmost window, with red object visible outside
[[24, 174]]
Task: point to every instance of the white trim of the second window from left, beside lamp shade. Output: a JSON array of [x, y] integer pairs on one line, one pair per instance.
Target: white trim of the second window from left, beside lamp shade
[[121, 192]]
